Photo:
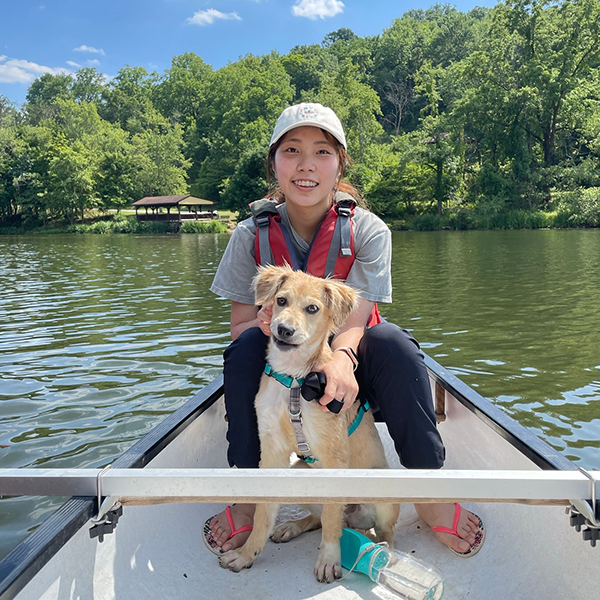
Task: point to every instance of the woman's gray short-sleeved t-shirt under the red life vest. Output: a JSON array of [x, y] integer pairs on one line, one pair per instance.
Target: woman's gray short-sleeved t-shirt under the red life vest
[[370, 273]]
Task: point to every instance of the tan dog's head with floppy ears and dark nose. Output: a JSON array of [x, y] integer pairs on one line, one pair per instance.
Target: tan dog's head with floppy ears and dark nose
[[306, 309]]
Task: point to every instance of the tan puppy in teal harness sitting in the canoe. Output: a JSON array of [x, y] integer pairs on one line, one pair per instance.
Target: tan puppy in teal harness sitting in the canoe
[[307, 311]]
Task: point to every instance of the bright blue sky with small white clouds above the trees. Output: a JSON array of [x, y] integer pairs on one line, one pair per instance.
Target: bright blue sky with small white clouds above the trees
[[60, 36]]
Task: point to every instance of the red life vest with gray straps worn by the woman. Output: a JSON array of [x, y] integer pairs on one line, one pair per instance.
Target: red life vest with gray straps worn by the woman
[[330, 254]]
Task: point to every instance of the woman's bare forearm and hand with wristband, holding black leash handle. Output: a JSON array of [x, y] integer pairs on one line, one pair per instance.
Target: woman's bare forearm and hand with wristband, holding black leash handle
[[341, 382]]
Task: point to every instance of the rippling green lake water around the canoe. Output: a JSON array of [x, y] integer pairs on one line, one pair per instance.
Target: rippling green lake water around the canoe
[[102, 336]]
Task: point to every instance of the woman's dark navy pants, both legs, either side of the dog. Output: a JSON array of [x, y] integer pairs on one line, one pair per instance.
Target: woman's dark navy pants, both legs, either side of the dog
[[391, 375]]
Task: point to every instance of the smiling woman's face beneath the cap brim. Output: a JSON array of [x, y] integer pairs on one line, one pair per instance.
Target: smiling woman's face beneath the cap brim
[[307, 167]]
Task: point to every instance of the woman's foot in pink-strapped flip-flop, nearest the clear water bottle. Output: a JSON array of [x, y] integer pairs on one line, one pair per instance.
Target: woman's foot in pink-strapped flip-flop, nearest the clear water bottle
[[442, 515]]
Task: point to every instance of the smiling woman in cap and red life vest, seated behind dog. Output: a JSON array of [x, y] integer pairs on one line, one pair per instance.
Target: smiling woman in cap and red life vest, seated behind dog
[[307, 156]]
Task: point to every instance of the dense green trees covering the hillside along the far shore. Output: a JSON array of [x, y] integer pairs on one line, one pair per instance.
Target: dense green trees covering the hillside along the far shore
[[449, 115]]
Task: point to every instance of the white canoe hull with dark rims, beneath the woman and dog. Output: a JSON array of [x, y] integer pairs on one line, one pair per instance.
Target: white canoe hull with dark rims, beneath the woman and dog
[[530, 552]]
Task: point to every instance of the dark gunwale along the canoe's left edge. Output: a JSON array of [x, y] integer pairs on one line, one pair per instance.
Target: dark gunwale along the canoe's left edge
[[29, 556]]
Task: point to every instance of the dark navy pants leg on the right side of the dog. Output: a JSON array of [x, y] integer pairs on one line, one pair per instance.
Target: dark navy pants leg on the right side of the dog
[[393, 377]]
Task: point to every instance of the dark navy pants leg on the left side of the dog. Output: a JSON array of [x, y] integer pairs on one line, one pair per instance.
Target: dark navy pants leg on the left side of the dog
[[243, 364]]
